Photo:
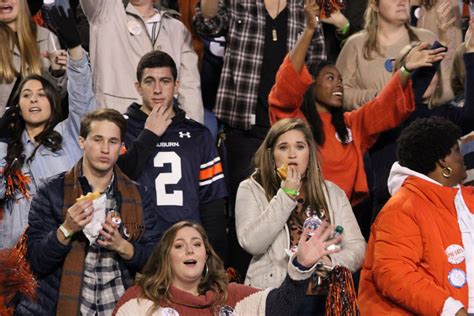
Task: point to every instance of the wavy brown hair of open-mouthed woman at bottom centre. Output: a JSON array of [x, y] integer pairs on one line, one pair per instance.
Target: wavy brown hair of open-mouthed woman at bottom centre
[[157, 276]]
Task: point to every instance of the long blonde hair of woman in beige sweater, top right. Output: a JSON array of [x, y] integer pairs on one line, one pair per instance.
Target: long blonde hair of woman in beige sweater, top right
[[371, 27]]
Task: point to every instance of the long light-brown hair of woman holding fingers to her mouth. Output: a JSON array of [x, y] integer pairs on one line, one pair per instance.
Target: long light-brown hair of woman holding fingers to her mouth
[[313, 182]]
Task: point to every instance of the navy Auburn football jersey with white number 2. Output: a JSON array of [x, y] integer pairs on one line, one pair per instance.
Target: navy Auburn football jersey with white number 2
[[185, 169]]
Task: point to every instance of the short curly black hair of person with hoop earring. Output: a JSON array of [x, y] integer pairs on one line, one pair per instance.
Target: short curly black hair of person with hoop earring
[[425, 141]]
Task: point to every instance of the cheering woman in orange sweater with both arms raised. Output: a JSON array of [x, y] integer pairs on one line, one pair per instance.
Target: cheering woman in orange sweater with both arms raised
[[315, 93]]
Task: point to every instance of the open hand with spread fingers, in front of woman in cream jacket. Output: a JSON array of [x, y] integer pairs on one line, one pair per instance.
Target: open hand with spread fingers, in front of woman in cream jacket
[[312, 247]]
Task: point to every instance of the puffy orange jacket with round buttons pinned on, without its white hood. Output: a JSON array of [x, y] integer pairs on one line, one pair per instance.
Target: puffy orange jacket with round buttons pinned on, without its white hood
[[406, 268]]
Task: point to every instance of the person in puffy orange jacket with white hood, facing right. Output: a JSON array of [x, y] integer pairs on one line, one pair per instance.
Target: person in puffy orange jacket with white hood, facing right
[[420, 258]]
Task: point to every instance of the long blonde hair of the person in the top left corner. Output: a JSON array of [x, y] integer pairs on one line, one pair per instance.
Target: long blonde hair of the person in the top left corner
[[25, 40]]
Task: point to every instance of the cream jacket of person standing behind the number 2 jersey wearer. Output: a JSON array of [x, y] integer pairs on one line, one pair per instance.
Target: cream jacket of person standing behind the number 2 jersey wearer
[[115, 52]]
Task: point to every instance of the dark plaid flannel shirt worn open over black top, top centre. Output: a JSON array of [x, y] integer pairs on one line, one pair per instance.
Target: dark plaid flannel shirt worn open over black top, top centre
[[243, 22]]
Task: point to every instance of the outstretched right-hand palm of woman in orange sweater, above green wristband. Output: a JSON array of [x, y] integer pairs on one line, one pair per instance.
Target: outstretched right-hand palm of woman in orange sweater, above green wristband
[[420, 56]]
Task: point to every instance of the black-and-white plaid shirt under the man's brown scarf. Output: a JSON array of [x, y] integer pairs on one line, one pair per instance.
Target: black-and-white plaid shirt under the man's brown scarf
[[102, 283]]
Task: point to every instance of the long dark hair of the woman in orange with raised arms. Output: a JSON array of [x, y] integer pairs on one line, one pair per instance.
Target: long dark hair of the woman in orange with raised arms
[[311, 113]]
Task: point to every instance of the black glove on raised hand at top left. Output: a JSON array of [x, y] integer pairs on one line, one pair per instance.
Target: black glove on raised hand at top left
[[63, 25]]
